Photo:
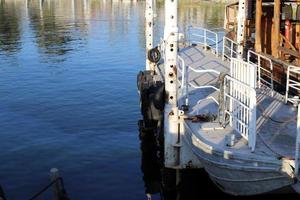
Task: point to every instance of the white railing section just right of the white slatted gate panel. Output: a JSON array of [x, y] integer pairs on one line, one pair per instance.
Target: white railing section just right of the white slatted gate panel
[[263, 73]]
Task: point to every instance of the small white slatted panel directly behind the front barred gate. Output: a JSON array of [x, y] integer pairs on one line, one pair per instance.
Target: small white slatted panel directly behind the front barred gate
[[243, 71]]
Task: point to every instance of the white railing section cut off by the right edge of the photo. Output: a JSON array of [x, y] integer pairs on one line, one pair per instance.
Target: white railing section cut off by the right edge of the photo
[[290, 83]]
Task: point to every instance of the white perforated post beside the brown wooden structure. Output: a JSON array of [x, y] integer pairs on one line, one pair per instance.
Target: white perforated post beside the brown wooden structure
[[241, 26]]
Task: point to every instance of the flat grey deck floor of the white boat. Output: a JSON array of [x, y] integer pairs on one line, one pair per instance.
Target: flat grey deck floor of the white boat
[[276, 121]]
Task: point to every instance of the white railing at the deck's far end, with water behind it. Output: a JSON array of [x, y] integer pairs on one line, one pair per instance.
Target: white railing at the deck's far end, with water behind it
[[205, 37]]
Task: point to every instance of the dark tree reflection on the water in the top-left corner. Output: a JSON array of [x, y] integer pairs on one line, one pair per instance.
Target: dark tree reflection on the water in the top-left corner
[[9, 27]]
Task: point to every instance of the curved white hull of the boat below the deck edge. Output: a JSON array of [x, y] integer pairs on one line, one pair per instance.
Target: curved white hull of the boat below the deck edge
[[238, 176]]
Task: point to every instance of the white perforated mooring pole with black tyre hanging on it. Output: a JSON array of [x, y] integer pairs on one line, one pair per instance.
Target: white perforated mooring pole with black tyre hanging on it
[[149, 23]]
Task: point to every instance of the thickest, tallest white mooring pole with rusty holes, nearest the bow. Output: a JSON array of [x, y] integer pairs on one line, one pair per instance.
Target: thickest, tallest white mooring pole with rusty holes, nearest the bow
[[171, 109]]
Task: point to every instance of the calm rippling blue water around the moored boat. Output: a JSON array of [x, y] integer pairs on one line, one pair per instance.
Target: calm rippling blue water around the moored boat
[[68, 95]]
